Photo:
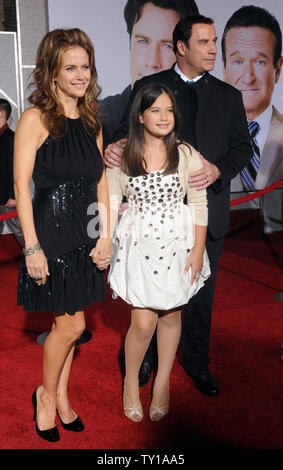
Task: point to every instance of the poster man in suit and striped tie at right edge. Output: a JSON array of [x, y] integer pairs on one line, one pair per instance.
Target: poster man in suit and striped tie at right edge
[[252, 63]]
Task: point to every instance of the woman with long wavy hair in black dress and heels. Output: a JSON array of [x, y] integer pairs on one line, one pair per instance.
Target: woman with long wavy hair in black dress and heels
[[58, 143]]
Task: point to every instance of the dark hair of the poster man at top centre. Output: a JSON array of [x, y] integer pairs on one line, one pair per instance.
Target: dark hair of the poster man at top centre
[[132, 10]]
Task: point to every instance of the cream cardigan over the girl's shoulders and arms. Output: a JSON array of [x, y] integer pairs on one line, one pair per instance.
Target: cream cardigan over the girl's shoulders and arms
[[189, 161]]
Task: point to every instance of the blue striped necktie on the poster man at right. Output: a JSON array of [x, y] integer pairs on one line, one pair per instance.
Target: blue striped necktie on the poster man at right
[[248, 174]]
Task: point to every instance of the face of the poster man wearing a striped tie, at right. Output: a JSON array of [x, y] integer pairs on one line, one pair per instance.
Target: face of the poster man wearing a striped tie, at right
[[250, 66]]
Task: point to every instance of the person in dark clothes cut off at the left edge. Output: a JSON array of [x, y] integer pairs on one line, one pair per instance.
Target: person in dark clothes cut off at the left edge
[[7, 196]]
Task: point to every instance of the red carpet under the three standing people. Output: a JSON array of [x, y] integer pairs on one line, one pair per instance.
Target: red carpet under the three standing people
[[246, 348]]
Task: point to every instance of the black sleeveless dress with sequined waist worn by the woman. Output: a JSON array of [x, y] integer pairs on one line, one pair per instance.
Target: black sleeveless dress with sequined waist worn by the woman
[[65, 175]]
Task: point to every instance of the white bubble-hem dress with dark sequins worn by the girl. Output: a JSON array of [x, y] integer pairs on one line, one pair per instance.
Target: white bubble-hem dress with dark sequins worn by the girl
[[152, 242]]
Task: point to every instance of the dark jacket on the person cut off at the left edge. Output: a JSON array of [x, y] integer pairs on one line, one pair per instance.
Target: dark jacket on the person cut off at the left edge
[[6, 165]]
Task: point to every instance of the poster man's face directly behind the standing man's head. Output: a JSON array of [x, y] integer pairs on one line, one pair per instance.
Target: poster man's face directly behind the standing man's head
[[151, 47]]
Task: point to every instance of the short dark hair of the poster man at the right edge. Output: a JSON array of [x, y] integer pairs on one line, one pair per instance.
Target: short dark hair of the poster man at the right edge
[[254, 16]]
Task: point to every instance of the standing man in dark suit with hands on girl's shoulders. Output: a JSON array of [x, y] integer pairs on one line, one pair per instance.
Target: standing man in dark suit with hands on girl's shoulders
[[213, 121]]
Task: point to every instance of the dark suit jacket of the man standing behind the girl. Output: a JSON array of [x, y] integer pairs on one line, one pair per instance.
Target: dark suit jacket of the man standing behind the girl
[[220, 134]]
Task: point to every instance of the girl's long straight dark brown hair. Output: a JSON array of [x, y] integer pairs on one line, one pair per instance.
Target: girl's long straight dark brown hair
[[133, 163]]
